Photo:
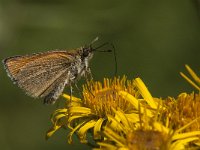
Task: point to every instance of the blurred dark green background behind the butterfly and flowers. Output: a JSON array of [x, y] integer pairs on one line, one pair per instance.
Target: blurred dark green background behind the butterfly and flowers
[[153, 40]]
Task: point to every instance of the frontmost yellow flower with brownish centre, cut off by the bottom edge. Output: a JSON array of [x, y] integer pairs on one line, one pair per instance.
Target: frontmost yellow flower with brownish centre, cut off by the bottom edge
[[150, 134]]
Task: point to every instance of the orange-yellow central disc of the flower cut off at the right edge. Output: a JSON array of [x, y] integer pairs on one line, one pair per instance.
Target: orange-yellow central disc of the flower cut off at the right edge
[[183, 110]]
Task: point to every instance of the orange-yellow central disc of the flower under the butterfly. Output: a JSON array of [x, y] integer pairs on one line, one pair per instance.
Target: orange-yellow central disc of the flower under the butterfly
[[102, 98]]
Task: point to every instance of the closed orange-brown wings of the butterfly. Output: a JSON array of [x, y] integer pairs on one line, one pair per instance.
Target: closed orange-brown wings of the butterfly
[[40, 74]]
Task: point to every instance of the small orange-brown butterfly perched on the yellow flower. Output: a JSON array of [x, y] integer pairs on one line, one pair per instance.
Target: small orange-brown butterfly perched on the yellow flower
[[45, 74]]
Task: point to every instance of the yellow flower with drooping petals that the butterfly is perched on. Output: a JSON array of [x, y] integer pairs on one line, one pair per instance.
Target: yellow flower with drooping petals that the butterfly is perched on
[[99, 102]]
